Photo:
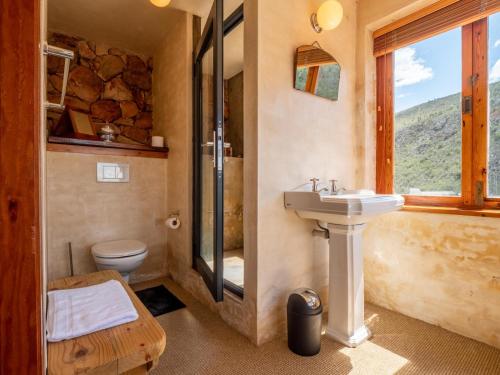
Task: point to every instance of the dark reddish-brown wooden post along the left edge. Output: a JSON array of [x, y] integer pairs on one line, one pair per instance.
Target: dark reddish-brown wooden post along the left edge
[[20, 256]]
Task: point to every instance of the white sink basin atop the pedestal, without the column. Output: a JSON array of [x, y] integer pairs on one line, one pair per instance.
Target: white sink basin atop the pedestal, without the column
[[345, 208]]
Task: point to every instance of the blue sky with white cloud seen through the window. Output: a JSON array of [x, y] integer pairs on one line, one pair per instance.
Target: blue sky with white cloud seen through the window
[[432, 68]]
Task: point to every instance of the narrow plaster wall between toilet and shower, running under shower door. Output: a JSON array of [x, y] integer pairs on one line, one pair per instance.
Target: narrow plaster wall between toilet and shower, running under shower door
[[172, 85]]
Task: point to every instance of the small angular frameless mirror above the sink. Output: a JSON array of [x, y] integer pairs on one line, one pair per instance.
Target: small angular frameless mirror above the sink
[[316, 72]]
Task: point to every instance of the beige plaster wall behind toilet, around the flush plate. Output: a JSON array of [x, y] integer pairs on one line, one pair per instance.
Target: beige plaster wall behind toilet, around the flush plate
[[83, 211]]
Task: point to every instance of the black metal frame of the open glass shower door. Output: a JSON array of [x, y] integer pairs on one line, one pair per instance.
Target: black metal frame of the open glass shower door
[[216, 27]]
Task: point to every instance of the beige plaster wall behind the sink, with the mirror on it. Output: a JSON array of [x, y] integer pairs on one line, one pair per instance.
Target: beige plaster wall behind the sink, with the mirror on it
[[300, 136]]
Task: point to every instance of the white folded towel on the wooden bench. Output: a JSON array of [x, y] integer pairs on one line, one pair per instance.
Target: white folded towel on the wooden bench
[[80, 311]]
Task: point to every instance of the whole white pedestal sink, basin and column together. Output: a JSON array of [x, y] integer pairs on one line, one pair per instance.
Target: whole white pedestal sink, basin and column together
[[346, 215]]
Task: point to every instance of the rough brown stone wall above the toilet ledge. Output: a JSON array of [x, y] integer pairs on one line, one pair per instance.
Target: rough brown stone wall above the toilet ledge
[[110, 84]]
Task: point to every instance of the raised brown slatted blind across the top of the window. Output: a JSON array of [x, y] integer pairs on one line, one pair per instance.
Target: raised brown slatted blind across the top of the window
[[457, 14]]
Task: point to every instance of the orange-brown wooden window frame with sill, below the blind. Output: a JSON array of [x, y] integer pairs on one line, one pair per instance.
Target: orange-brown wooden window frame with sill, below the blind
[[474, 129]]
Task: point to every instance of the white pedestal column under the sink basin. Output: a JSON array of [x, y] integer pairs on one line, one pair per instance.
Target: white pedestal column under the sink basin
[[346, 286]]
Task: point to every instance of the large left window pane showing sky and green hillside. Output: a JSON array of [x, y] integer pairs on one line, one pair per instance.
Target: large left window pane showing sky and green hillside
[[427, 123]]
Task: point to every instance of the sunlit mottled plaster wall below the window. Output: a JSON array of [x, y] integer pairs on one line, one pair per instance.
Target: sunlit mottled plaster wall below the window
[[442, 269]]
